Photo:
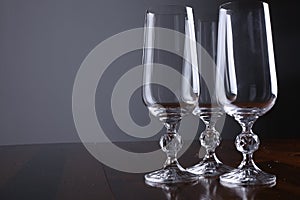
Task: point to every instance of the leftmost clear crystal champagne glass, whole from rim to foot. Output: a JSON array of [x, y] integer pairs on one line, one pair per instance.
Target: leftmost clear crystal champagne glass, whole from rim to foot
[[170, 81]]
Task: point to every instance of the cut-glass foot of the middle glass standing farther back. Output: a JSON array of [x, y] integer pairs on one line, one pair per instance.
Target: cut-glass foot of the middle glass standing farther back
[[209, 168]]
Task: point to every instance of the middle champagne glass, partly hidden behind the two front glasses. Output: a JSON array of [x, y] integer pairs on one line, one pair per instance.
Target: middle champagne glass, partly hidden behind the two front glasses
[[208, 110]]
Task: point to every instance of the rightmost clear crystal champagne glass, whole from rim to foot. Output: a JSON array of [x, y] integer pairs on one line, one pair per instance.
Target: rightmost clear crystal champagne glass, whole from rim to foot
[[246, 83]]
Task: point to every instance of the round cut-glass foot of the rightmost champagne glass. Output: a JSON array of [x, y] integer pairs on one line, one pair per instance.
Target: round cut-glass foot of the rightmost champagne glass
[[249, 176]]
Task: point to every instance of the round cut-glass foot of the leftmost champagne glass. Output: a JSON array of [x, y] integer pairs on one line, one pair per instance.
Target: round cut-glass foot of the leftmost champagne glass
[[171, 174]]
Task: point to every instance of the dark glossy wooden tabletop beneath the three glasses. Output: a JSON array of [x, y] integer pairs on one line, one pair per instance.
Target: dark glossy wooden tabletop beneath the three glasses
[[69, 171]]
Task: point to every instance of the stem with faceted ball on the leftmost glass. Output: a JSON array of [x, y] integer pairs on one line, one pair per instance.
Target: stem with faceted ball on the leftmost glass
[[171, 143]]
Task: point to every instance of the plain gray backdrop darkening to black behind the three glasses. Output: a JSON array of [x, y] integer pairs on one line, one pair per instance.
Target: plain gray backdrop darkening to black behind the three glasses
[[43, 42]]
